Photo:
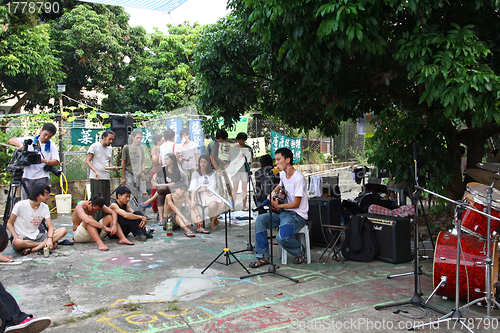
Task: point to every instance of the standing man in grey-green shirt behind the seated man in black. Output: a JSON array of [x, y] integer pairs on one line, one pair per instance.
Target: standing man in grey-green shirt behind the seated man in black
[[134, 167]]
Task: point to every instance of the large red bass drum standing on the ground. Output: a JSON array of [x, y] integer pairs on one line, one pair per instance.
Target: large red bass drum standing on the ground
[[472, 265]]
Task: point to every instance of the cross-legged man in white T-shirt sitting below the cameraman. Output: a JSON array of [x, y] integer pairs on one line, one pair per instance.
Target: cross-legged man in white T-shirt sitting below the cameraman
[[26, 217]]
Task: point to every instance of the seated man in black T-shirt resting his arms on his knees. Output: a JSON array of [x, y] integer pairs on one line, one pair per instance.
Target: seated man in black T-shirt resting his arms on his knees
[[129, 221]]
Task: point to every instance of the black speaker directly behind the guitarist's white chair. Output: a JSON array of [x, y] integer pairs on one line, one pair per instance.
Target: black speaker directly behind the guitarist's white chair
[[323, 210]]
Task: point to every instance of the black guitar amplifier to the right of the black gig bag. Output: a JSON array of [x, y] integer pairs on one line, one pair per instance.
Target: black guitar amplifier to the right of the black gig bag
[[393, 237]]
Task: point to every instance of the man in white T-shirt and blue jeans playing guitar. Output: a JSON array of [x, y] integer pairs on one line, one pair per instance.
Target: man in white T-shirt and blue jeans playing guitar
[[293, 213]]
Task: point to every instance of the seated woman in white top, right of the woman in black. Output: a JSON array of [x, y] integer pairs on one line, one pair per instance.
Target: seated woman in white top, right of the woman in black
[[203, 185]]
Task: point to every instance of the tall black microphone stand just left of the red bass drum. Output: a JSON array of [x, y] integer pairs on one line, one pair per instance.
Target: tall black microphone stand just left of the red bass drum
[[417, 295]]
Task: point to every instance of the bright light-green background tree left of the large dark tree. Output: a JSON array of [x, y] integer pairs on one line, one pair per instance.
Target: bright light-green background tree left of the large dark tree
[[161, 77]]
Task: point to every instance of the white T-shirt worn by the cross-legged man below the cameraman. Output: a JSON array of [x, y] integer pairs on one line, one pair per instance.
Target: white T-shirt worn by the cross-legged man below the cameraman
[[28, 219]]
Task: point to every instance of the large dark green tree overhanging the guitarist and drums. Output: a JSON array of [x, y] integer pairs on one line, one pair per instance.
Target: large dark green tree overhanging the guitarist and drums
[[329, 61]]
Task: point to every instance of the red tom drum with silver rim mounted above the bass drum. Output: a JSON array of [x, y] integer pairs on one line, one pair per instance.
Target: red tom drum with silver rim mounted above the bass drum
[[474, 223]]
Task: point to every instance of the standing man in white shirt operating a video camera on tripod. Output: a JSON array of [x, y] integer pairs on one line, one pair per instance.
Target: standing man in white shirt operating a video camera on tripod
[[39, 173]]
